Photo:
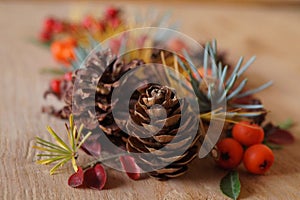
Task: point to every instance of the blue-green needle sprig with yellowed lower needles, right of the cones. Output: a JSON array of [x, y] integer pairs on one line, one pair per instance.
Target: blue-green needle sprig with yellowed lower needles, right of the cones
[[222, 85]]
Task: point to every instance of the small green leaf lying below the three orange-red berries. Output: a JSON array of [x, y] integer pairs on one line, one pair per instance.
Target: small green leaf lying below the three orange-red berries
[[230, 185]]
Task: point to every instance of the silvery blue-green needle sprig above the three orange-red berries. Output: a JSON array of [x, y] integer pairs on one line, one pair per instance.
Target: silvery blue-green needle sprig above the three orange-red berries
[[221, 85]]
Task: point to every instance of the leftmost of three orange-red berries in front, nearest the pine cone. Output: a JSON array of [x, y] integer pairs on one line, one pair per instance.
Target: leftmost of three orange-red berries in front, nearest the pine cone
[[231, 153]]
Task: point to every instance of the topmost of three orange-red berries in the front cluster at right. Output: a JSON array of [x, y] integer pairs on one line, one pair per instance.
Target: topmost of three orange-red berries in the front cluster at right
[[248, 134]]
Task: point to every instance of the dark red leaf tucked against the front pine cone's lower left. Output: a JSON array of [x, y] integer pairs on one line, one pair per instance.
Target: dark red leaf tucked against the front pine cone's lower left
[[129, 165]]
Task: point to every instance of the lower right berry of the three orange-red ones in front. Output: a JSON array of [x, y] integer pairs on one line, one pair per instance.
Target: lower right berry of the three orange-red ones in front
[[258, 159]]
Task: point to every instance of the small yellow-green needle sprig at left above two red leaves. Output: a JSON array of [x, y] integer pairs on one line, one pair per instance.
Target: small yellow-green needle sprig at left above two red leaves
[[59, 152]]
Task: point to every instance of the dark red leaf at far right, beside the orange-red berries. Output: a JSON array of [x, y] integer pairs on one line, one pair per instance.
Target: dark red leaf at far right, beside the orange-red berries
[[279, 136]]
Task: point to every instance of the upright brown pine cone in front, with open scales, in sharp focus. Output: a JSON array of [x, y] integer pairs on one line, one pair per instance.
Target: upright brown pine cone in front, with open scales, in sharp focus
[[175, 124]]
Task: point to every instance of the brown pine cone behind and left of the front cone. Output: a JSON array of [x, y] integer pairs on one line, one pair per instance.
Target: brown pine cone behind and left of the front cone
[[96, 94]]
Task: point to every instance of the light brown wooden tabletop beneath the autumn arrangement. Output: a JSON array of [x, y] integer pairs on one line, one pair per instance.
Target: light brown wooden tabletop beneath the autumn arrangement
[[271, 33]]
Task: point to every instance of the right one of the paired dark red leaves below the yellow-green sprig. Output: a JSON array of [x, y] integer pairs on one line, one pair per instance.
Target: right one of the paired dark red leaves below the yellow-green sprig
[[95, 177]]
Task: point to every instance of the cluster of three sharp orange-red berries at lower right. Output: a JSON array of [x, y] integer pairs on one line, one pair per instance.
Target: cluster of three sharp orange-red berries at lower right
[[245, 146]]
